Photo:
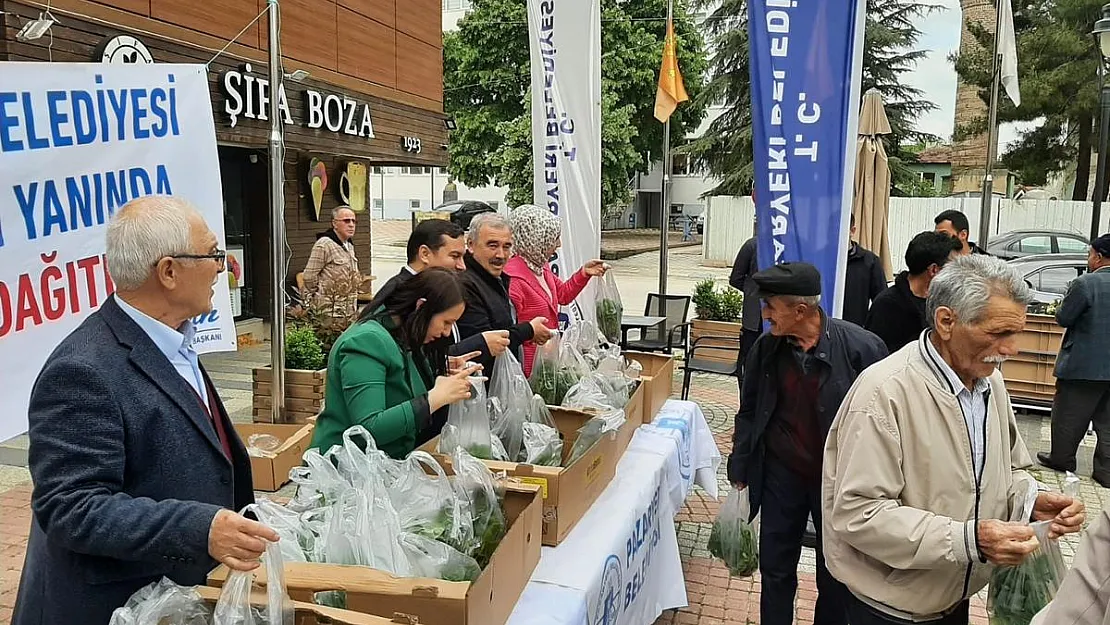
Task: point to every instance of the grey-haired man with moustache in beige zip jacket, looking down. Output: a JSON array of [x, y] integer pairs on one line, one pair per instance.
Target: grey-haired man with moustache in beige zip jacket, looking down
[[924, 487]]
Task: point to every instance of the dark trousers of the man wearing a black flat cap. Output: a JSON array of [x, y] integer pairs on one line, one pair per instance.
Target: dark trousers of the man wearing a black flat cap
[[788, 503]]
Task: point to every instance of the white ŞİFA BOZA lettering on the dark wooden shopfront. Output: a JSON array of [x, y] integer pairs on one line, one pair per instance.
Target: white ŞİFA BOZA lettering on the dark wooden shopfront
[[248, 96]]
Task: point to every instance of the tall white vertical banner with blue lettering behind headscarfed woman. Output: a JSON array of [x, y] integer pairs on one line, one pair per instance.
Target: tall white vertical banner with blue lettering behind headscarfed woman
[[566, 42]]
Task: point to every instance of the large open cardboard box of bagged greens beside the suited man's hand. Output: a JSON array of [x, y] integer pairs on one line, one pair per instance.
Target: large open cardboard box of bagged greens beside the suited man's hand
[[488, 601]]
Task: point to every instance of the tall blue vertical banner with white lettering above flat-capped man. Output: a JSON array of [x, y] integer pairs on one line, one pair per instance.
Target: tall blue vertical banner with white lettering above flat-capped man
[[806, 59]]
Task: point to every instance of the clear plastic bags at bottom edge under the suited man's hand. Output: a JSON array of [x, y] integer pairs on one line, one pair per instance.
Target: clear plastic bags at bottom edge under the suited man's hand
[[166, 603]]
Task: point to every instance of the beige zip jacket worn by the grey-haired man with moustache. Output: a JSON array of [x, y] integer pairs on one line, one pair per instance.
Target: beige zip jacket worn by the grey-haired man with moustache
[[900, 496]]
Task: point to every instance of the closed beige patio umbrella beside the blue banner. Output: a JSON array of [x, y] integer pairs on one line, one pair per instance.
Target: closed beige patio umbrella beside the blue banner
[[873, 180]]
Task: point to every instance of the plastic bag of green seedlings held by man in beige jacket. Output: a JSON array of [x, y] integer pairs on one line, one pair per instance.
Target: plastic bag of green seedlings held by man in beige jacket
[[1018, 593]]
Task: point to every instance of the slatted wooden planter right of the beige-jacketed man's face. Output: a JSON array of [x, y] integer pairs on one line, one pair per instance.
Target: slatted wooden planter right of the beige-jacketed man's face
[[1030, 375]]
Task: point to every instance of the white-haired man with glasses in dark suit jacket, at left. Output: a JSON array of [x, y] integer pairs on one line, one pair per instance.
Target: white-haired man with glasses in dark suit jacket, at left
[[137, 468]]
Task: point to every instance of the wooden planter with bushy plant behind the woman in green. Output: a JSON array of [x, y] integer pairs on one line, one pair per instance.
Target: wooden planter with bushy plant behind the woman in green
[[315, 326]]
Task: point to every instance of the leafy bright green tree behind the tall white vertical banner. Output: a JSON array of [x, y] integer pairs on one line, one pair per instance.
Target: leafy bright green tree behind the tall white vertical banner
[[487, 90]]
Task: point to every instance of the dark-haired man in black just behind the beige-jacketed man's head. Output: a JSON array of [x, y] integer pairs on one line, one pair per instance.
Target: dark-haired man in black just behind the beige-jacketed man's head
[[899, 314]]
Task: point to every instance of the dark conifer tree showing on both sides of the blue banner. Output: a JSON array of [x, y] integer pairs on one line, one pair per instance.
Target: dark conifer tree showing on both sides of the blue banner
[[890, 37]]
